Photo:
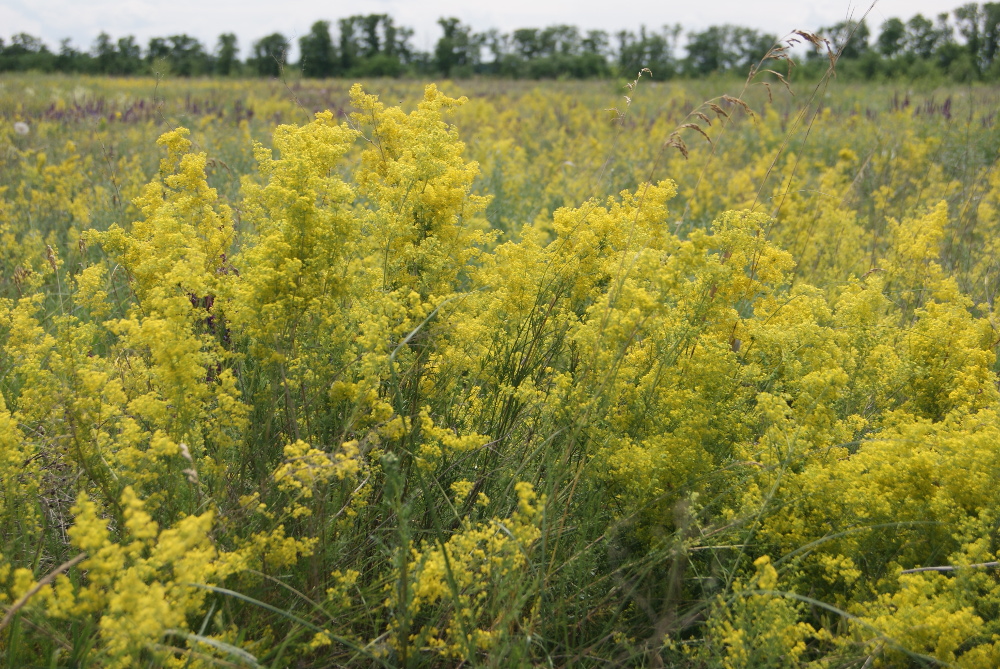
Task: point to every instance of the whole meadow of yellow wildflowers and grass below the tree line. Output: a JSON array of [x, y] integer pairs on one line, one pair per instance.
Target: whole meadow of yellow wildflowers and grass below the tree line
[[498, 374]]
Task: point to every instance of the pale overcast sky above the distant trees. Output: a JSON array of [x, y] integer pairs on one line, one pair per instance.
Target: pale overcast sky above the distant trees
[[82, 20]]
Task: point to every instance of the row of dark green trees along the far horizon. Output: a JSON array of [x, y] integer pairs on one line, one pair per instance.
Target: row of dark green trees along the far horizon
[[961, 45]]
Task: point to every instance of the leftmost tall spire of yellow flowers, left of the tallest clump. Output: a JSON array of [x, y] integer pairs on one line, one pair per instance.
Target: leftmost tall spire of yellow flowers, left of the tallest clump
[[181, 395]]
